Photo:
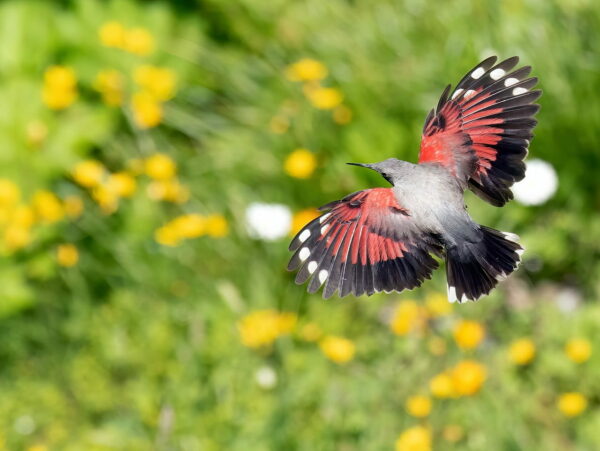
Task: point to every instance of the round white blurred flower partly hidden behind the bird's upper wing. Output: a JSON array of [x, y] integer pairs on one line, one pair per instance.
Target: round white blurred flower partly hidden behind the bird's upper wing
[[539, 184]]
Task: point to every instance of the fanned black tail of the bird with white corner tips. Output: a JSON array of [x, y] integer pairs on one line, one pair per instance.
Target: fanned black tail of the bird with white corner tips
[[473, 269]]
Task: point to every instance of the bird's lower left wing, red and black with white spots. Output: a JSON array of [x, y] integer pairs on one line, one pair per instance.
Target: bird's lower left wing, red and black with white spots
[[366, 243]]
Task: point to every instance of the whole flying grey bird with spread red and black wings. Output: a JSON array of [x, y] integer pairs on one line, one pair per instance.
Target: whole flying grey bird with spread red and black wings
[[385, 239]]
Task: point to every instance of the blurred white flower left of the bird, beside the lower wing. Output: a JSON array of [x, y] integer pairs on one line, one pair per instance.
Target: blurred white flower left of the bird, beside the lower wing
[[268, 221]]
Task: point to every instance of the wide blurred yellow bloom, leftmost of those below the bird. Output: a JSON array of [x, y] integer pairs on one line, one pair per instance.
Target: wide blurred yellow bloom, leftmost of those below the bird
[[263, 327]]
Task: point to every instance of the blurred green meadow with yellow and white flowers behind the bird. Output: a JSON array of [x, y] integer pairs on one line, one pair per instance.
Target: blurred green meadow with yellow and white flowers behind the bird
[[156, 158]]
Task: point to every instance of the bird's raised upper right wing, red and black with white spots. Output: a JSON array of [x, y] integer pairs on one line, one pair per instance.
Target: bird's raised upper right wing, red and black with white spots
[[481, 131]]
